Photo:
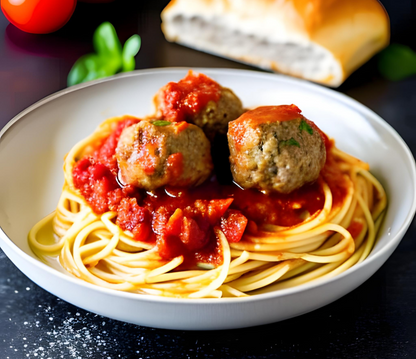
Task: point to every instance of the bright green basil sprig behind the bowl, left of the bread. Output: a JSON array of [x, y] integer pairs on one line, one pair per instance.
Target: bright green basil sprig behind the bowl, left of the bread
[[110, 56]]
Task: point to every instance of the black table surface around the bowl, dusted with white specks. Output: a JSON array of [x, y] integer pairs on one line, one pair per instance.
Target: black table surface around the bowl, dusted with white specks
[[377, 320]]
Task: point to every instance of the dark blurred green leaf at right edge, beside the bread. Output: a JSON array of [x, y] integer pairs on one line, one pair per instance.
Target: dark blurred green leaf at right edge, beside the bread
[[397, 62]]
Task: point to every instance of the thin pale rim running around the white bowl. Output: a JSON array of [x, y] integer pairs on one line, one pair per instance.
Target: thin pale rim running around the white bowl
[[343, 98]]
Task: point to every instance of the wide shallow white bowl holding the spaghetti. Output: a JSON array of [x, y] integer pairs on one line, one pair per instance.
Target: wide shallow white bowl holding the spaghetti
[[33, 144]]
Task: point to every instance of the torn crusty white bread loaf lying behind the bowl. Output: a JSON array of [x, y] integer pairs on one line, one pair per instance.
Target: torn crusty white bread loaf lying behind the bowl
[[319, 40]]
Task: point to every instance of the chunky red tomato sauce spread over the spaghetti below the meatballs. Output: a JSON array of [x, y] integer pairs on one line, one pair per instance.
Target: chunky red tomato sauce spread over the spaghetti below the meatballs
[[181, 221]]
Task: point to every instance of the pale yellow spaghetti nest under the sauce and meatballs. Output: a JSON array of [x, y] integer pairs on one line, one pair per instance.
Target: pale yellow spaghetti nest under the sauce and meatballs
[[94, 248]]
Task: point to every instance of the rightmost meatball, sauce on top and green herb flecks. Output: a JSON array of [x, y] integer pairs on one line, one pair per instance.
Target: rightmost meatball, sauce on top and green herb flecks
[[275, 149]]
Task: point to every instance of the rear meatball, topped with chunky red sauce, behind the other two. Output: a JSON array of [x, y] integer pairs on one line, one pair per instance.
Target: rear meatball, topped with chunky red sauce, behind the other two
[[199, 100]]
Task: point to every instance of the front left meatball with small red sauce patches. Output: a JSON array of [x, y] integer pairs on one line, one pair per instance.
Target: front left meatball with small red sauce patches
[[152, 154]]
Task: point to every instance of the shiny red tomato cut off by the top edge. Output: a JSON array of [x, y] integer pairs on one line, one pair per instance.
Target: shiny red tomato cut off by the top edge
[[38, 16]]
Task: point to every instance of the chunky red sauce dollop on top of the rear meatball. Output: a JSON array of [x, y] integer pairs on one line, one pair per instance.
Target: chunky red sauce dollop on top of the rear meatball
[[179, 100]]
